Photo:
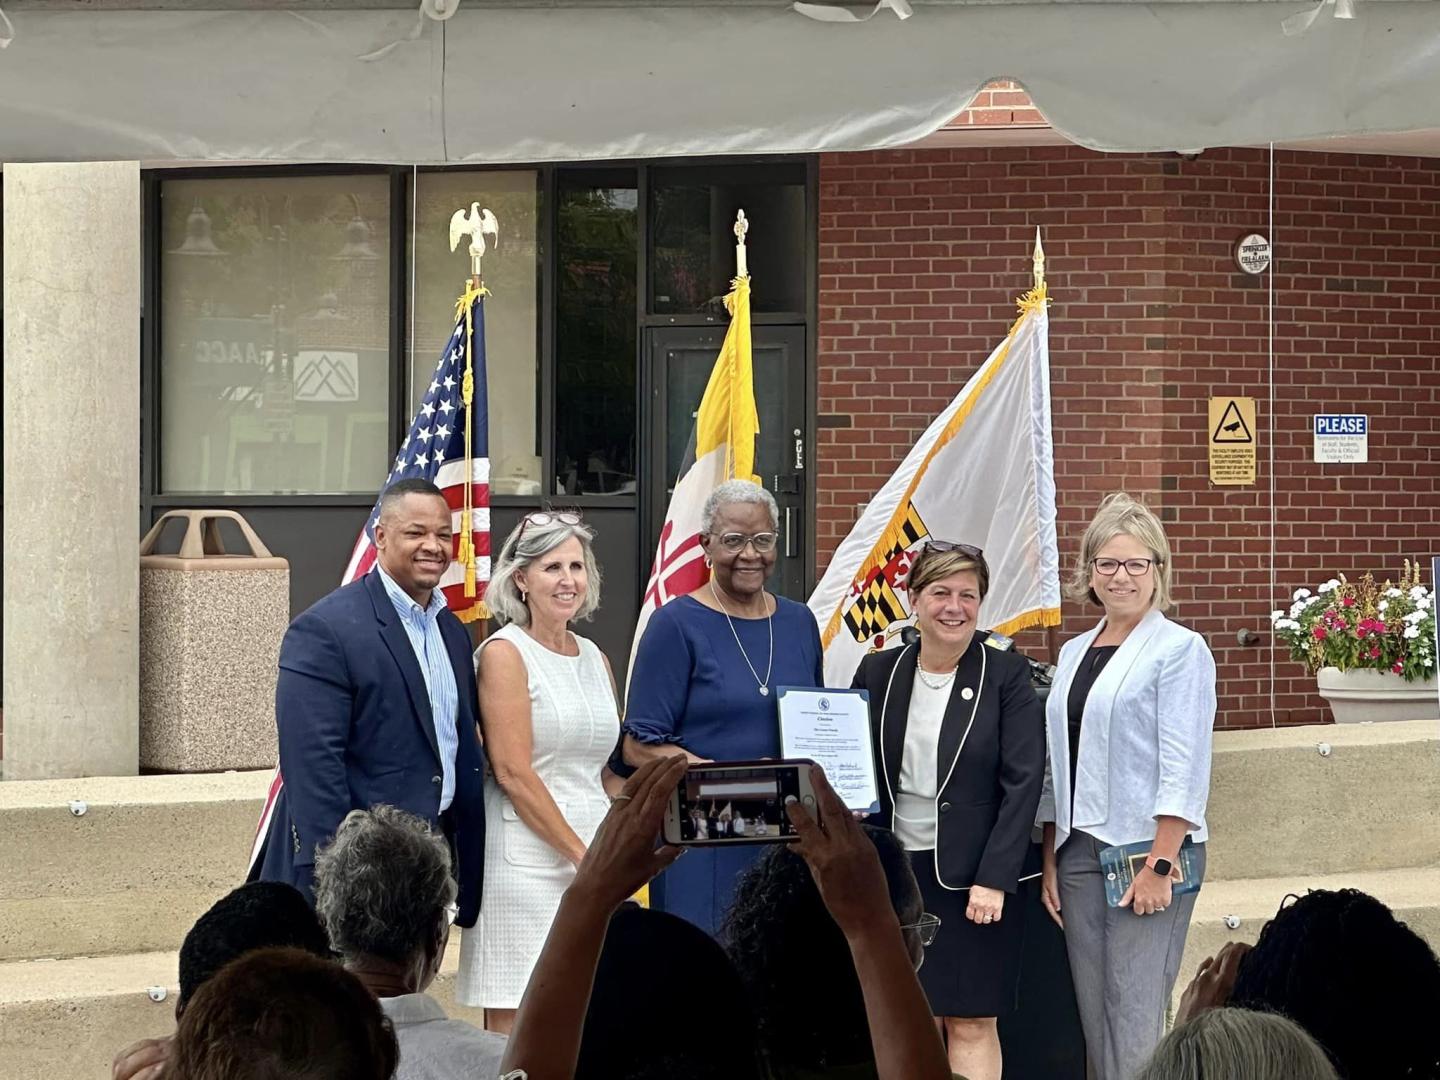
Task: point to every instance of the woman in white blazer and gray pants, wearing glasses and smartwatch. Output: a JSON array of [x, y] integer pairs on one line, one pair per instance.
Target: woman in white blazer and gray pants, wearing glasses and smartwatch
[[1128, 729]]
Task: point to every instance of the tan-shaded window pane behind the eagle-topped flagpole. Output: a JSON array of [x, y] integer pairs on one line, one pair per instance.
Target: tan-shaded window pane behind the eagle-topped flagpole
[[512, 312]]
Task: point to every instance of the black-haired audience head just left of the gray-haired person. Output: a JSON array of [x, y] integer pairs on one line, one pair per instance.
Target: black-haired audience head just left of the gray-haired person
[[260, 915]]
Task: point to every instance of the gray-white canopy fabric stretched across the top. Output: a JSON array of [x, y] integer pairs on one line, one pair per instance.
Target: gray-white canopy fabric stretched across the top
[[503, 81]]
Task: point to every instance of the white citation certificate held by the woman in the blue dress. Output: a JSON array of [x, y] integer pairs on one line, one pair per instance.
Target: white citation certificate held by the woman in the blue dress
[[833, 729]]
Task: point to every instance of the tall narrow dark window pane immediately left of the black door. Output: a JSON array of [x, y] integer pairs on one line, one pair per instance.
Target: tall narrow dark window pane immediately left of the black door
[[595, 336]]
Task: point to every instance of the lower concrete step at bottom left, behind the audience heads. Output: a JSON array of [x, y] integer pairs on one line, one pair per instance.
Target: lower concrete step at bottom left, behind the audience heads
[[67, 1019]]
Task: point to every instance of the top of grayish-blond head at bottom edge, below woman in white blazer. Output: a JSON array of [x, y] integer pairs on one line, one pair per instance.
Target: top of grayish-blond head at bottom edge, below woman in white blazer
[[1238, 1045]]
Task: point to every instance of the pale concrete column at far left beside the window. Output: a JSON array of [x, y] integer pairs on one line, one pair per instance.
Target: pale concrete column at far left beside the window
[[71, 470]]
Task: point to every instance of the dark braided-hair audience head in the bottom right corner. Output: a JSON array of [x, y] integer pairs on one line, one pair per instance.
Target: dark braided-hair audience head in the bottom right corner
[[1360, 981]]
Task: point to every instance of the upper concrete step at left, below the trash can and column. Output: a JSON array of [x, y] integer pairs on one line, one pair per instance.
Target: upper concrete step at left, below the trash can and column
[[132, 873]]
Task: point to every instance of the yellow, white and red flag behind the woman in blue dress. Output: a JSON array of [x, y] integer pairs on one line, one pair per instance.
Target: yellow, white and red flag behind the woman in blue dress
[[722, 449]]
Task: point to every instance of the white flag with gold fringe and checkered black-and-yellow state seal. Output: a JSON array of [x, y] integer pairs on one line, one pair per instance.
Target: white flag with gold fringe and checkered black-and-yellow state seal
[[983, 474]]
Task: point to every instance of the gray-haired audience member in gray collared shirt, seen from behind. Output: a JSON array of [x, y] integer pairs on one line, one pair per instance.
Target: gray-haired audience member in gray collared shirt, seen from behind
[[385, 892]]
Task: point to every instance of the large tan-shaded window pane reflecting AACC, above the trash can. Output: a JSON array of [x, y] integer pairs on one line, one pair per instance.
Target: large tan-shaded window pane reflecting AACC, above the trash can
[[276, 307]]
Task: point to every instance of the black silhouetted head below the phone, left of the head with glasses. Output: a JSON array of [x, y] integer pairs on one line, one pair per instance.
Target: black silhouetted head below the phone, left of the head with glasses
[[665, 958]]
